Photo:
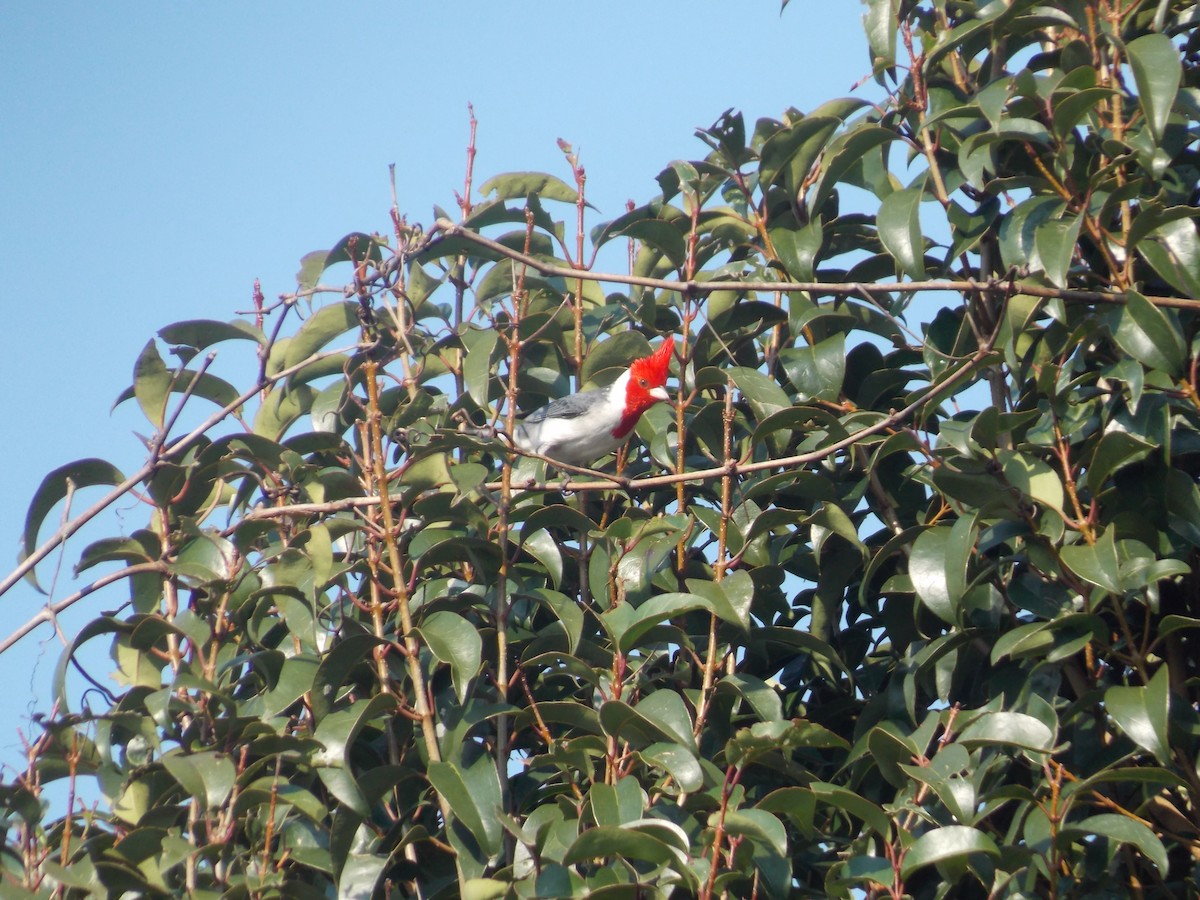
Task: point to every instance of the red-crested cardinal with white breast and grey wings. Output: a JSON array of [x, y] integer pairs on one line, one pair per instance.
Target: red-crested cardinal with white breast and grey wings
[[583, 428]]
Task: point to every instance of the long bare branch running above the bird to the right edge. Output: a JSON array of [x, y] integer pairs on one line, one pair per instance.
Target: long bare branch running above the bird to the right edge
[[692, 287]]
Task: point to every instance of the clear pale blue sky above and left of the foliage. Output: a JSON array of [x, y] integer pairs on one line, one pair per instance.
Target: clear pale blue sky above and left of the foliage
[[160, 157]]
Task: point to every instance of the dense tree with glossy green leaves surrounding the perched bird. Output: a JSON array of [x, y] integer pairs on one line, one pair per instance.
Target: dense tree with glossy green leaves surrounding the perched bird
[[889, 601]]
